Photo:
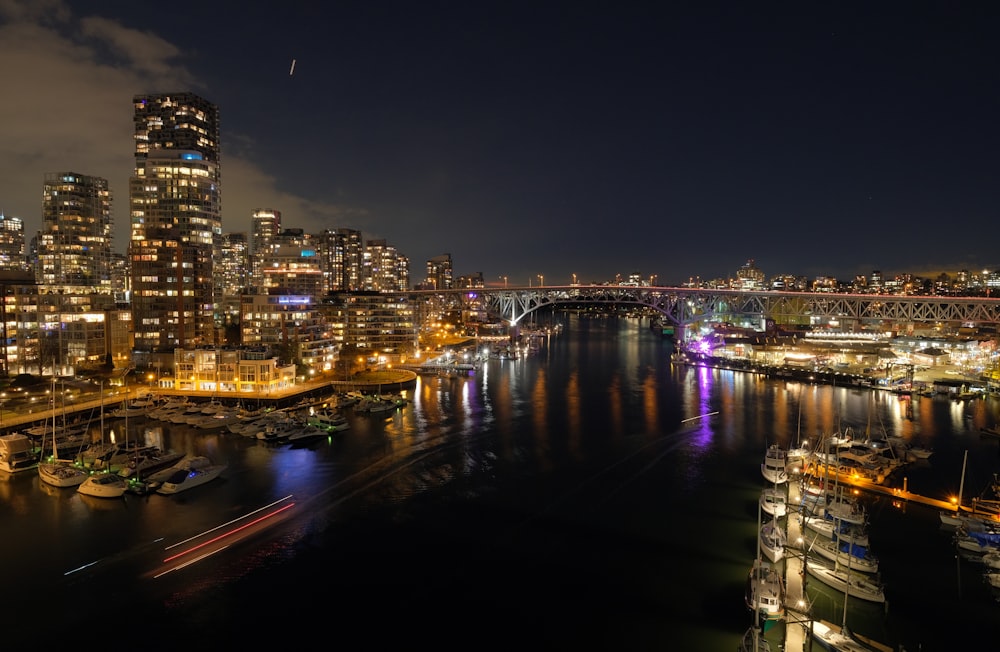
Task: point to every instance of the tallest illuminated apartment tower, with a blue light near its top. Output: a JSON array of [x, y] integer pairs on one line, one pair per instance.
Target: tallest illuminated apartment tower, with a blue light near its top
[[175, 211]]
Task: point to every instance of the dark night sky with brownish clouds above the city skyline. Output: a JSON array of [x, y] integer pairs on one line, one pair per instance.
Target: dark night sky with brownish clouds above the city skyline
[[546, 139]]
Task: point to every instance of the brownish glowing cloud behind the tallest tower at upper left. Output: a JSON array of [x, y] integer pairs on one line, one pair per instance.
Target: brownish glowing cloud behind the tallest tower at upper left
[[68, 88]]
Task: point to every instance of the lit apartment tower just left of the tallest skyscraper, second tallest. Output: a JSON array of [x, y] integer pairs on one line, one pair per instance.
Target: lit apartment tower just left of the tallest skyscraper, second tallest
[[74, 247]]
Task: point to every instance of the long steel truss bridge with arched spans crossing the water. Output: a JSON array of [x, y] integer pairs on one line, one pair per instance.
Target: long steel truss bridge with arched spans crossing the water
[[685, 306]]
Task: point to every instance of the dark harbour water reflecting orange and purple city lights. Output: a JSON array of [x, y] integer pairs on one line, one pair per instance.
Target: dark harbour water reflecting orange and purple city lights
[[589, 494]]
